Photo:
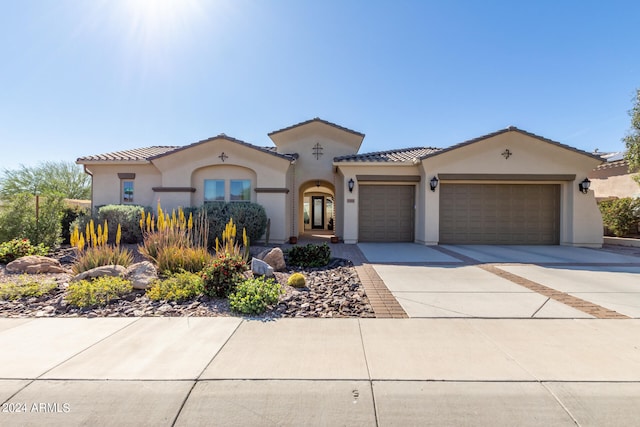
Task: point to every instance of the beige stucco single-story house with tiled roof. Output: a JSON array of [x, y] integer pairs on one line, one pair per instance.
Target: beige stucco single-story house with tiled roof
[[507, 187]]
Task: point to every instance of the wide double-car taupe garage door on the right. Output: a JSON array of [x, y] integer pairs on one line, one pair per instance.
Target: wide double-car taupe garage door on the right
[[500, 214]]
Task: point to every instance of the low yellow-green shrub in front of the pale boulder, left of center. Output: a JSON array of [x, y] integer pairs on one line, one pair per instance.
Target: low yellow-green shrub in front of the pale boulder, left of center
[[98, 292]]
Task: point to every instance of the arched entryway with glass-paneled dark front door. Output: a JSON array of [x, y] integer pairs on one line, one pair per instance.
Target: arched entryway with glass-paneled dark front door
[[317, 209]]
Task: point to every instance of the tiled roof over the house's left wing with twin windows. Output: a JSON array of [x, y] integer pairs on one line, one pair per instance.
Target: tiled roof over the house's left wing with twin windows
[[150, 153]]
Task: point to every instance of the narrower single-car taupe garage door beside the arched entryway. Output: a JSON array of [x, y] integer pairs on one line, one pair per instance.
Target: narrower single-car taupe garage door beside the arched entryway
[[386, 213]]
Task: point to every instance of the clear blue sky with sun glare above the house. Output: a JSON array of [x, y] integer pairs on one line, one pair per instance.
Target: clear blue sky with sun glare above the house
[[85, 77]]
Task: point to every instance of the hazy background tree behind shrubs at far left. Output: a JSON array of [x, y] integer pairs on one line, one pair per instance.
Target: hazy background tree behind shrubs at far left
[[64, 178]]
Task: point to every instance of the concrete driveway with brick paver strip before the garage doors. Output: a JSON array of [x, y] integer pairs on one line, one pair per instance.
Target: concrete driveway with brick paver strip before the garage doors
[[508, 281]]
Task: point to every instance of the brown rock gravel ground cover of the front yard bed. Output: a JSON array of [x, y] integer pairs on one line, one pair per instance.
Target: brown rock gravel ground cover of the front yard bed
[[332, 291]]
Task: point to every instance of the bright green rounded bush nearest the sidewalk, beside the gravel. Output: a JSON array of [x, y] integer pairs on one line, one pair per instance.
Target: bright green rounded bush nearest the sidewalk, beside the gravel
[[254, 296]]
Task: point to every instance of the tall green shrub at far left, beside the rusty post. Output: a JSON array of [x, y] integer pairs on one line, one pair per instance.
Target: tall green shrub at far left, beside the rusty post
[[18, 219]]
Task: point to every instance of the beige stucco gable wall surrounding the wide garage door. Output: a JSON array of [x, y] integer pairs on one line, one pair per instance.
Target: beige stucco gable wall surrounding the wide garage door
[[580, 221]]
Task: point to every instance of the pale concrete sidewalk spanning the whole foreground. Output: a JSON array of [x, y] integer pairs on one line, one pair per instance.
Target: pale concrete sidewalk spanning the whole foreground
[[230, 371]]
